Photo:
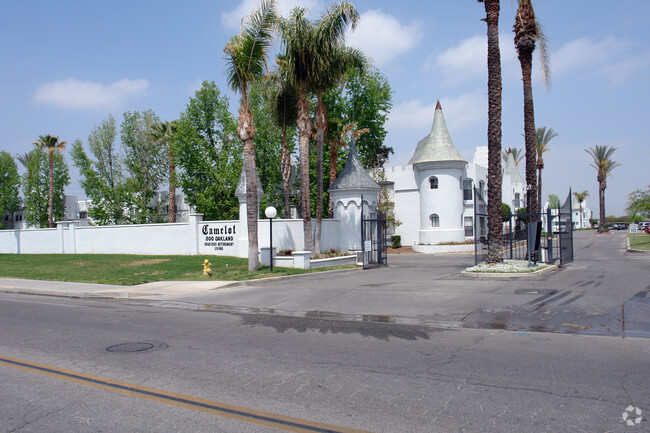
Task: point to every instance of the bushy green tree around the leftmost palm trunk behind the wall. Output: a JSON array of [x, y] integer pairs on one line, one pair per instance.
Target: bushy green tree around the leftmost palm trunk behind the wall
[[36, 187]]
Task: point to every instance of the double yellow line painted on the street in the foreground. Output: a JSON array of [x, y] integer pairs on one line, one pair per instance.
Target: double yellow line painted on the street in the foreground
[[239, 413]]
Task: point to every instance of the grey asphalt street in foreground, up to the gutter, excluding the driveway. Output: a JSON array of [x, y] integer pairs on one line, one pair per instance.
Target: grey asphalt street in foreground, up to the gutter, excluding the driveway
[[350, 375]]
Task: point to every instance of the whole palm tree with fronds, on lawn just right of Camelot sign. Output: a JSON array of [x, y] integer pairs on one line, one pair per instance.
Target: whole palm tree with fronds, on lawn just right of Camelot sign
[[246, 62]]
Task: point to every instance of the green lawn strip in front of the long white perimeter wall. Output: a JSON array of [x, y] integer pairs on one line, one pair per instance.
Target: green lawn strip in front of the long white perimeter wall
[[125, 269]]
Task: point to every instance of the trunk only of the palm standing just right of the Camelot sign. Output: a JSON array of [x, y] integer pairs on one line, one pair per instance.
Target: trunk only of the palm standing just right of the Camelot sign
[[246, 130]]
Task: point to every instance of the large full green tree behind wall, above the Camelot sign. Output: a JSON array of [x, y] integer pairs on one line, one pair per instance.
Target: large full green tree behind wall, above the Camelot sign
[[209, 154]]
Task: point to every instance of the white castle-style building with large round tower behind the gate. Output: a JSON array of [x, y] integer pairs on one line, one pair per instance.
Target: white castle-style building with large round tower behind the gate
[[434, 192]]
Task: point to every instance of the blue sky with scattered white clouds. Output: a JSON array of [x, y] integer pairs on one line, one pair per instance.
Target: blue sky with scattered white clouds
[[67, 65]]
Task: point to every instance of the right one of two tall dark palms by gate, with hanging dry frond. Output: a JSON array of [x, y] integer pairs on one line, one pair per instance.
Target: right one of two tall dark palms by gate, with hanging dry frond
[[527, 34]]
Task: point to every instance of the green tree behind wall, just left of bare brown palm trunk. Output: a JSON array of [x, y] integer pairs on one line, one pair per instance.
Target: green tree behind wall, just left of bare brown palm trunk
[[144, 161]]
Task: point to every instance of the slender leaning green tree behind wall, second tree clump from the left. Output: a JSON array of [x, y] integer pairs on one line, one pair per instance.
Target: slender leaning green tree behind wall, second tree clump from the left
[[102, 177]]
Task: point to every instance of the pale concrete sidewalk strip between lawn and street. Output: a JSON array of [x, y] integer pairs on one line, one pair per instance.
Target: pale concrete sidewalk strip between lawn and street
[[153, 291]]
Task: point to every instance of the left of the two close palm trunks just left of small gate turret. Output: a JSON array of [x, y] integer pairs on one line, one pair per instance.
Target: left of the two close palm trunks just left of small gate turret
[[304, 130]]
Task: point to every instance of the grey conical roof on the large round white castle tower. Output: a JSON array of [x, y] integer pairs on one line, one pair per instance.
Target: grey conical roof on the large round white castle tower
[[437, 146]]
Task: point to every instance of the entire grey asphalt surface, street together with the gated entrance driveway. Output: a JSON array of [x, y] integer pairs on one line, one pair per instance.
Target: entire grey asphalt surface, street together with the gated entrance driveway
[[389, 350]]
